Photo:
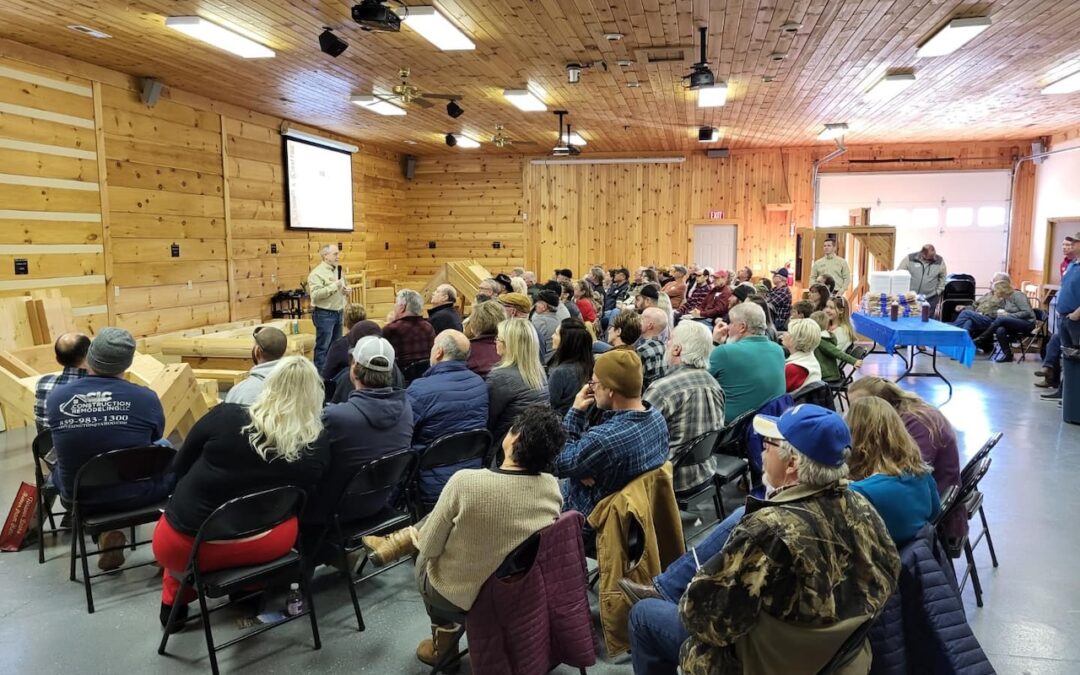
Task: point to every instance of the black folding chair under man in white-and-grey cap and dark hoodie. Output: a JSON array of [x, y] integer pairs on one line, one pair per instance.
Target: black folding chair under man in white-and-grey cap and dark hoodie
[[386, 476]]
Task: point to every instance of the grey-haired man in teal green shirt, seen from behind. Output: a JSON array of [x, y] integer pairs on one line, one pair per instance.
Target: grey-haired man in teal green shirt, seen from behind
[[749, 368]]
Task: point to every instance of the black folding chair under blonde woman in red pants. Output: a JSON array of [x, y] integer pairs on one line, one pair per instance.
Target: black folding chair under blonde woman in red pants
[[237, 519]]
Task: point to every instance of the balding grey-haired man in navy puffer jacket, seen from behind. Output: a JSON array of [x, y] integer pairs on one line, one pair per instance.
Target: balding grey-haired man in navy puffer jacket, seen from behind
[[448, 399]]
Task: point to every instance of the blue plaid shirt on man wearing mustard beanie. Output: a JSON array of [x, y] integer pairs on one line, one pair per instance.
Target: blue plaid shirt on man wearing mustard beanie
[[624, 447]]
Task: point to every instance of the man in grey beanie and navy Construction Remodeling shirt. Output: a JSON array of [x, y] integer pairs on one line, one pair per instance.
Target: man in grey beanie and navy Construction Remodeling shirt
[[99, 413]]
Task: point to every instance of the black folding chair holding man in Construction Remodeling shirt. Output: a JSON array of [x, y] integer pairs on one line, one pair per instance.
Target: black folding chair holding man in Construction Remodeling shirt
[[105, 471]]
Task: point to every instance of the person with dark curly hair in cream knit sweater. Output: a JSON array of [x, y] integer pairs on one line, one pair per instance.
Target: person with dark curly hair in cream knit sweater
[[480, 519]]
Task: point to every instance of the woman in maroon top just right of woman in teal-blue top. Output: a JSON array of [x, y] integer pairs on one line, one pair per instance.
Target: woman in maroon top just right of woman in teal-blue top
[[931, 431]]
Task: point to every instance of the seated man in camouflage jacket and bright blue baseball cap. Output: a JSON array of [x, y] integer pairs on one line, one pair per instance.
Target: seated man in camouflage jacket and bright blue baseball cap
[[787, 580]]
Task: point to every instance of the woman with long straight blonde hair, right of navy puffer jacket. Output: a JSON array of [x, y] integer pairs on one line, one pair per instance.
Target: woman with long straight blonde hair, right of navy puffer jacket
[[519, 380]]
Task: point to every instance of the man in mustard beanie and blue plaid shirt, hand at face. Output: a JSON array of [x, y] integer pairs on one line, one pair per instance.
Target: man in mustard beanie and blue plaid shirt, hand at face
[[631, 439]]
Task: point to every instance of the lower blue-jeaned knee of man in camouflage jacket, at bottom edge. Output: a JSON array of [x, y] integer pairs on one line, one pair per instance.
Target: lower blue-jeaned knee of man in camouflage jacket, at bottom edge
[[656, 637]]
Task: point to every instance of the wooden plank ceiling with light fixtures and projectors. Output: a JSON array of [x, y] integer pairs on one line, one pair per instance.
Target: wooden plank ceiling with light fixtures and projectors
[[989, 90]]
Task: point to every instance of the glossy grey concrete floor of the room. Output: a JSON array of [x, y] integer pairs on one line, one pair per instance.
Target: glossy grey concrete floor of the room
[[1030, 623]]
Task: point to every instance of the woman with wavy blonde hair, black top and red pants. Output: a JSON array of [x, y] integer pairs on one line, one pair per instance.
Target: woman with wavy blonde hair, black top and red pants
[[236, 451]]
